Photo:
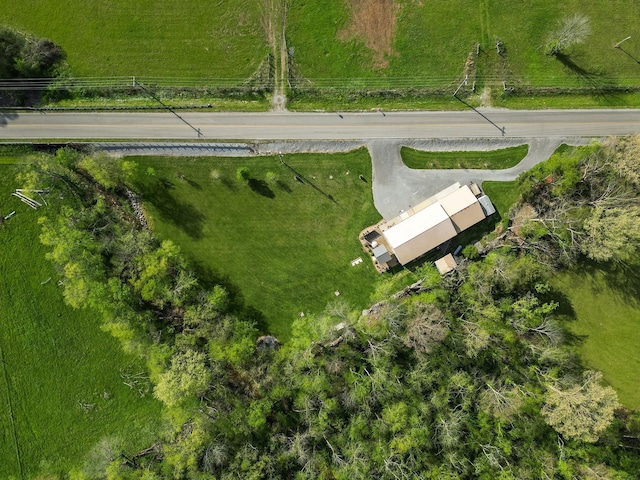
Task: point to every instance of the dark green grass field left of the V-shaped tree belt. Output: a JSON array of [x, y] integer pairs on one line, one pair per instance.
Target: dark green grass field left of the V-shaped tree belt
[[61, 390]]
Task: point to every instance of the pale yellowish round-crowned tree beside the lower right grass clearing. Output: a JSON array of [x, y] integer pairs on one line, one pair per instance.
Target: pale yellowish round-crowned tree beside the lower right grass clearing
[[582, 411]]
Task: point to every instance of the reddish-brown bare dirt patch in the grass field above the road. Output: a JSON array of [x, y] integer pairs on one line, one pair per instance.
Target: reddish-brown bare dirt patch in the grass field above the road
[[373, 22]]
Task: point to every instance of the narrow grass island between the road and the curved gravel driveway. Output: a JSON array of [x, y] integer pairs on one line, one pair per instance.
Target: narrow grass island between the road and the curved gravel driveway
[[491, 159]]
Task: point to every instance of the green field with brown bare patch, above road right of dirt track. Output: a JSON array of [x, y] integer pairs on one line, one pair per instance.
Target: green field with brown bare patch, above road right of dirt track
[[342, 40]]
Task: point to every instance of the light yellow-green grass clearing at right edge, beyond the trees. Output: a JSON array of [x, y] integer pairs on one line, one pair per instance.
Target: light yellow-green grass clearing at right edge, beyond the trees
[[607, 324]]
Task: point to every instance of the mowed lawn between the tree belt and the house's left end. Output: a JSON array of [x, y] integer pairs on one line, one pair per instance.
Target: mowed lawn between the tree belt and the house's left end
[[286, 246]]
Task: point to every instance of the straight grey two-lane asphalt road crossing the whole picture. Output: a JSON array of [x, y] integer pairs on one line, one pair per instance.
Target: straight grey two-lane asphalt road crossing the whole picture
[[480, 123]]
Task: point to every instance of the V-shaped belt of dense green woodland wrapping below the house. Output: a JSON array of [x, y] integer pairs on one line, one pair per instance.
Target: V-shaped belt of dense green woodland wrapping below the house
[[470, 378]]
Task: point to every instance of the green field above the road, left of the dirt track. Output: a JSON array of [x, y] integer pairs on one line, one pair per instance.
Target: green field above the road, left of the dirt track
[[163, 38]]
